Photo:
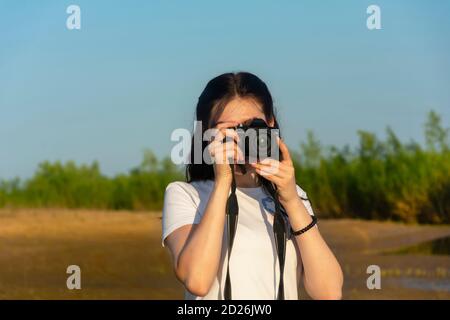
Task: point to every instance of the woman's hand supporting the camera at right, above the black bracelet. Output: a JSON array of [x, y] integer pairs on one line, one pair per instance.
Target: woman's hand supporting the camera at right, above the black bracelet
[[281, 173]]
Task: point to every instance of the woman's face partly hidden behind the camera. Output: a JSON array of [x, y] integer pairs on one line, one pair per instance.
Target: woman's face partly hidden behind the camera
[[240, 110]]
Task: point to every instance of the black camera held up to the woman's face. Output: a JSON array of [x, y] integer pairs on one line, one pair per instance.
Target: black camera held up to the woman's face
[[258, 140]]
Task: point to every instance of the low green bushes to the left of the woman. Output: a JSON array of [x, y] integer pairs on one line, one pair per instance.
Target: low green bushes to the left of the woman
[[71, 186]]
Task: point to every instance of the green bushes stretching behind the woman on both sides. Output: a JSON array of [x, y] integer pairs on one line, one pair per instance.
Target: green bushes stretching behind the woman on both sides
[[383, 180]]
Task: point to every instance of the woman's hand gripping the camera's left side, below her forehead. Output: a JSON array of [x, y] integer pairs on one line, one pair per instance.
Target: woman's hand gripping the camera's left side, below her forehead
[[224, 153]]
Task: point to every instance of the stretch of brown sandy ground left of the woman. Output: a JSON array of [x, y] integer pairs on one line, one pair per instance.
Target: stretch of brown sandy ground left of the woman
[[119, 254]]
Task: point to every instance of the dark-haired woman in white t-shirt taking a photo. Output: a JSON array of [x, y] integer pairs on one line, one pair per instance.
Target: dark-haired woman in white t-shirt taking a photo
[[194, 214]]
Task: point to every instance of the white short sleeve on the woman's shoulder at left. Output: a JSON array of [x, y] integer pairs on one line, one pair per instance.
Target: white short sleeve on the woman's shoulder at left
[[179, 208]]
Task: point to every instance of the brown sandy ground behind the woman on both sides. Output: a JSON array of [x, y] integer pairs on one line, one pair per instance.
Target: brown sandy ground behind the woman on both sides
[[121, 257]]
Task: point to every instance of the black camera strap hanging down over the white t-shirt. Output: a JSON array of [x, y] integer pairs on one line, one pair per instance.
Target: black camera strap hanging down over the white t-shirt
[[279, 229]]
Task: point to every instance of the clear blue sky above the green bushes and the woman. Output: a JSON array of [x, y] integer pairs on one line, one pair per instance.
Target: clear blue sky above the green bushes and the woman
[[134, 71]]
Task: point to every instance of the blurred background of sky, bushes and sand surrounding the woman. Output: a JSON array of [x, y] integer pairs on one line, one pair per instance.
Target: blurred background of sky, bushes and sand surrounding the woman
[[86, 117]]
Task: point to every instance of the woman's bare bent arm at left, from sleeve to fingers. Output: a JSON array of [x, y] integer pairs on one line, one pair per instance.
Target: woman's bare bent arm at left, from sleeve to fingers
[[196, 249]]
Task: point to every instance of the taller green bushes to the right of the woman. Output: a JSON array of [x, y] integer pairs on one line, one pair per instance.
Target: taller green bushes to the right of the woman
[[383, 180]]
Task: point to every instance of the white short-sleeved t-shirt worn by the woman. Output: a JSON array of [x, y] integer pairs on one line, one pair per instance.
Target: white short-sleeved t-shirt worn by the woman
[[254, 266]]
